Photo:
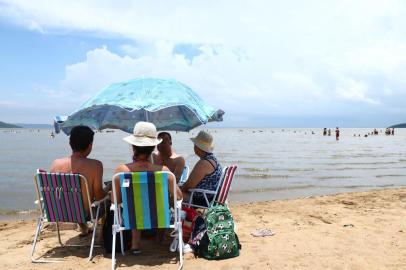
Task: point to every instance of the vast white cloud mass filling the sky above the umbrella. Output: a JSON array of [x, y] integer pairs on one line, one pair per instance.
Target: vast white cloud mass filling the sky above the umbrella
[[269, 57]]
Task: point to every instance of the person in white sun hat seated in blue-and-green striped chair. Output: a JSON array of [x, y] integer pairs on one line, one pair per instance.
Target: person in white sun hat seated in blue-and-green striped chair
[[143, 141]]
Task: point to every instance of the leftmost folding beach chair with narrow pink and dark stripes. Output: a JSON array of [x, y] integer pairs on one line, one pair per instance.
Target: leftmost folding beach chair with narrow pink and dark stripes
[[60, 200]]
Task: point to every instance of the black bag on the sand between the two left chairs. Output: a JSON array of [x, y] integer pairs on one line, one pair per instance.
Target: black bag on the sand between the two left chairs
[[108, 234]]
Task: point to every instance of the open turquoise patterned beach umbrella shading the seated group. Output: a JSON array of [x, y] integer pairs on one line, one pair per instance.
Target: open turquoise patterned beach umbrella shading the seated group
[[169, 104]]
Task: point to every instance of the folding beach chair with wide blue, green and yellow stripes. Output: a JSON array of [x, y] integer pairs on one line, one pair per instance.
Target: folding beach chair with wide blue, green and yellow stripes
[[145, 205]]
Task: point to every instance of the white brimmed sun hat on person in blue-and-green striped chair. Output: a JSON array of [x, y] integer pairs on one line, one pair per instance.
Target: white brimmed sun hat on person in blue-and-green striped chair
[[144, 134]]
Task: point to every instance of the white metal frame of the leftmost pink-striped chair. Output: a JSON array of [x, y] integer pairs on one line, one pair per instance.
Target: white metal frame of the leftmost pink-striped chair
[[43, 218]]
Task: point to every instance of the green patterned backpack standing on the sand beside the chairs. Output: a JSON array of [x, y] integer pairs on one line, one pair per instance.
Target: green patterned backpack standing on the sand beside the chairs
[[220, 241]]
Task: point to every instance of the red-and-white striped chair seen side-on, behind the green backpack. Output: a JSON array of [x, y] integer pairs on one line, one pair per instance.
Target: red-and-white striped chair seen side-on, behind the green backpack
[[217, 196]]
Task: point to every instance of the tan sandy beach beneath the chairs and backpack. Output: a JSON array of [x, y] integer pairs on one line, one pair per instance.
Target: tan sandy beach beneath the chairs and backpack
[[364, 230]]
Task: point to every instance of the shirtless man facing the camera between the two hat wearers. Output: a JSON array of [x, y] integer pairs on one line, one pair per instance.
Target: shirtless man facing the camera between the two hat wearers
[[167, 157]]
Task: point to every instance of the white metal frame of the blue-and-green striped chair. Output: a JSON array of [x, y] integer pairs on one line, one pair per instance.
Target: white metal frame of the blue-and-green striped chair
[[118, 228]]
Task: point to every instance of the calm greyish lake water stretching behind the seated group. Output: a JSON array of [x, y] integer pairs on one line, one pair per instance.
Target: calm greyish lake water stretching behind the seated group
[[272, 163]]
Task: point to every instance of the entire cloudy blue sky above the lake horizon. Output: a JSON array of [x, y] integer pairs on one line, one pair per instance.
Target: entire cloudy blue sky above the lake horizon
[[265, 63]]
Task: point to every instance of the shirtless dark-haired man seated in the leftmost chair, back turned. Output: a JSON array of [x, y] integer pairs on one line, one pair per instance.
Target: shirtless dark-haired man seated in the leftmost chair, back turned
[[81, 142]]
